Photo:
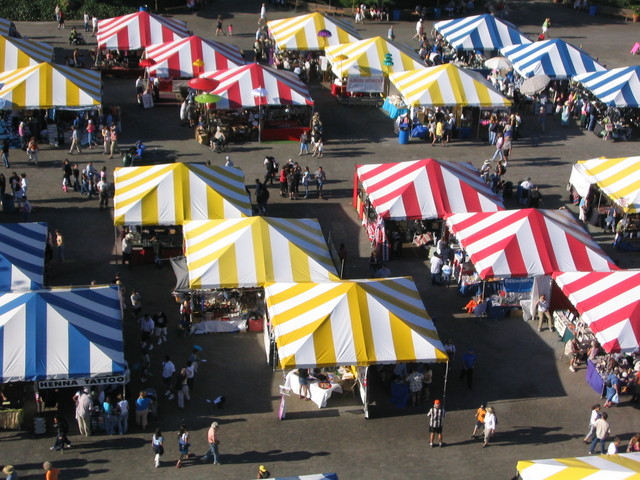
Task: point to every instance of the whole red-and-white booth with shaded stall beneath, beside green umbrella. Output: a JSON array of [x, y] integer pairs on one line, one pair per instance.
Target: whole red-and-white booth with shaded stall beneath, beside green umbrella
[[273, 103]]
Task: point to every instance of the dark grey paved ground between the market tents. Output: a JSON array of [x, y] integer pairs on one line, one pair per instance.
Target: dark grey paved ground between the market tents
[[543, 408]]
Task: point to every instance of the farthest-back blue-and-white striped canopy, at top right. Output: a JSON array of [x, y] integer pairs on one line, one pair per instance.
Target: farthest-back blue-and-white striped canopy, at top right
[[480, 32]]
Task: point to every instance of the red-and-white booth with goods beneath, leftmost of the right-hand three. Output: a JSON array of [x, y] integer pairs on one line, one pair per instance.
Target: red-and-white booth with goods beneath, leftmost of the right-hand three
[[389, 196]]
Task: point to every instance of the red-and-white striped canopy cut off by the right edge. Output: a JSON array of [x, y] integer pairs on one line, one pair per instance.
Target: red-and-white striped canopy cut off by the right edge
[[609, 302]]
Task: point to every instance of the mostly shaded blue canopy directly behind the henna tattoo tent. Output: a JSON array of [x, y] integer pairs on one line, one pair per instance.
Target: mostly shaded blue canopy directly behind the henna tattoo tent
[[22, 248]]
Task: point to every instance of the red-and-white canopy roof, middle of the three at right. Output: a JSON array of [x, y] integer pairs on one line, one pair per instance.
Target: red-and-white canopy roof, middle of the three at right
[[527, 243]]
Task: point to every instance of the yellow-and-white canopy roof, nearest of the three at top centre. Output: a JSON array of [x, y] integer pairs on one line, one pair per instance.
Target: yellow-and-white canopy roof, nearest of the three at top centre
[[447, 85]]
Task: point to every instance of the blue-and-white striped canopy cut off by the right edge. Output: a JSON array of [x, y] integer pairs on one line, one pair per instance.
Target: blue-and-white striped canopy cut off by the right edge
[[619, 87]]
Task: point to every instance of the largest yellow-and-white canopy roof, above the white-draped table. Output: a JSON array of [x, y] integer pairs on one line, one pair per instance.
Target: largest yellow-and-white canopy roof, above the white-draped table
[[362, 322]]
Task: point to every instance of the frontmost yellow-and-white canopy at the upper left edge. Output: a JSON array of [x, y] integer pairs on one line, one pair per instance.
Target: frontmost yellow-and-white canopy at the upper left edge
[[46, 85]]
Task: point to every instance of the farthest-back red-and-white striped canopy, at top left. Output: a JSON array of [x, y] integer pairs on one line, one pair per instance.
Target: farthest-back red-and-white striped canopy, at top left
[[139, 30]]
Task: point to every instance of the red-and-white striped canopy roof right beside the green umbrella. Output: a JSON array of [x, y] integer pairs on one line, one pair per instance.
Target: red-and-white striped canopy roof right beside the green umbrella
[[237, 87]]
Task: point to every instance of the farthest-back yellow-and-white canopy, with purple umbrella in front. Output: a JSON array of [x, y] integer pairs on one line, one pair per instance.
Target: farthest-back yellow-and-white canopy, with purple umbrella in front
[[301, 32]]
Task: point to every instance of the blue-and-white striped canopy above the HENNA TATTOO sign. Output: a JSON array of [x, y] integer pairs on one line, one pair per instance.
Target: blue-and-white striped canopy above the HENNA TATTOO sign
[[60, 334]]
